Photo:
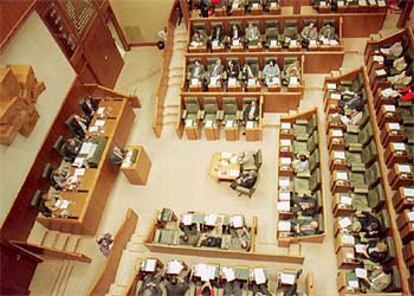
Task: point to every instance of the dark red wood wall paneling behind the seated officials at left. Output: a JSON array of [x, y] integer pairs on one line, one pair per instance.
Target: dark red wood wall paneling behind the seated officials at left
[[14, 227]]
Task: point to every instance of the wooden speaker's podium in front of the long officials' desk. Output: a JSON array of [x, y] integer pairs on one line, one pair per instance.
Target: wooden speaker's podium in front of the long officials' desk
[[137, 171]]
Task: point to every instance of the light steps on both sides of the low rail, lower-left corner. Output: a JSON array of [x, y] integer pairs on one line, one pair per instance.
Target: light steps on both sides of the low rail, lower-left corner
[[52, 275]]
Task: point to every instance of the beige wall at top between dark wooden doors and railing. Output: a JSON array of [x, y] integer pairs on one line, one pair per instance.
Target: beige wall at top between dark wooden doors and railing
[[142, 19]]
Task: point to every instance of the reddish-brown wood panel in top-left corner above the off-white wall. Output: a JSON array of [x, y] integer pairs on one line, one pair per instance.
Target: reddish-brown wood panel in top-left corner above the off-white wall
[[13, 14]]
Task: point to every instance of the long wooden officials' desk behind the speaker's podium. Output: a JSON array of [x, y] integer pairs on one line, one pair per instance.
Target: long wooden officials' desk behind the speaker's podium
[[96, 196]]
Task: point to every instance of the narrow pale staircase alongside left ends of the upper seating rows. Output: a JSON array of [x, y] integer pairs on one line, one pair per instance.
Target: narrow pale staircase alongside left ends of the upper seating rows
[[175, 77]]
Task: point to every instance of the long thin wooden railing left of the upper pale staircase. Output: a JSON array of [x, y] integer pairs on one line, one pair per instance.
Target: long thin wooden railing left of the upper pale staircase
[[157, 121]]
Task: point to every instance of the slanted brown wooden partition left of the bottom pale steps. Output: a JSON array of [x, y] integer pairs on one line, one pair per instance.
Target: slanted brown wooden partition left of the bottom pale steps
[[108, 273]]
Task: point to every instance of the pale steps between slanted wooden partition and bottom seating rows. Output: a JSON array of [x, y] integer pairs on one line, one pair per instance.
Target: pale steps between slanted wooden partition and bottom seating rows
[[127, 266]]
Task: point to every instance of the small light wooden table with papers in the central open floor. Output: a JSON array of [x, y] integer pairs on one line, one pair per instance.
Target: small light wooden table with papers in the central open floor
[[225, 170]]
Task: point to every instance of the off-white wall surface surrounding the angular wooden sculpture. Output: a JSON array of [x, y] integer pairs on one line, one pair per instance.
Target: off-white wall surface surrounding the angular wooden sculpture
[[32, 45]]
